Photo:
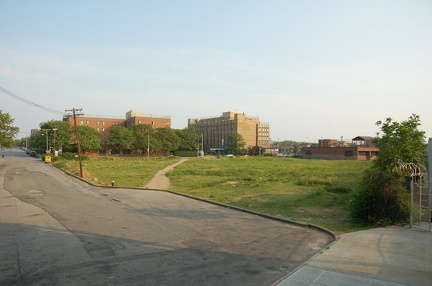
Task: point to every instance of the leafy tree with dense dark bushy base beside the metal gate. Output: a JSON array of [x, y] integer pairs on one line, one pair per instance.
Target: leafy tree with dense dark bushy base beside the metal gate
[[382, 199]]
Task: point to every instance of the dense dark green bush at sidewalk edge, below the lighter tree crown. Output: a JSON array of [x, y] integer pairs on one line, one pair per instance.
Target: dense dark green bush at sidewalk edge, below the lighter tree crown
[[381, 199]]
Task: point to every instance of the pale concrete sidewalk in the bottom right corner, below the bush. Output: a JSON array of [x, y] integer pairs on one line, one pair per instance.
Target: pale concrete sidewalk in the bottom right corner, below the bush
[[382, 256]]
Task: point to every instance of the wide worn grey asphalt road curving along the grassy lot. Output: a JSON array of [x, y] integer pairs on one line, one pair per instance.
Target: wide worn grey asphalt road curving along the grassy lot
[[57, 230]]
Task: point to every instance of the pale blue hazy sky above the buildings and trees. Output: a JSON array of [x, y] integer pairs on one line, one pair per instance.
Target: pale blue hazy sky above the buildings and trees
[[313, 70]]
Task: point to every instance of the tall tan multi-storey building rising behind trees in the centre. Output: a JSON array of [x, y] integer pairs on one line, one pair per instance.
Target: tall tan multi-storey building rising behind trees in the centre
[[215, 130]]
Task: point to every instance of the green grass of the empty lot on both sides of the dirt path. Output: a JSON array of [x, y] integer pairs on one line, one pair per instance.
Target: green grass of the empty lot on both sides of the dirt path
[[313, 191]]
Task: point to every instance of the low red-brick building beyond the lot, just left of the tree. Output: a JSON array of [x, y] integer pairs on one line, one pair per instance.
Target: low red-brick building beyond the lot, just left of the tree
[[361, 149]]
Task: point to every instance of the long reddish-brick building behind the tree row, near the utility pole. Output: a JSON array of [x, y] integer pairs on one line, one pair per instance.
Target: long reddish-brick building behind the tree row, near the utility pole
[[104, 124]]
